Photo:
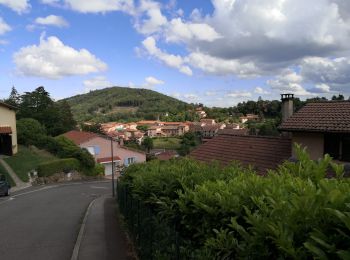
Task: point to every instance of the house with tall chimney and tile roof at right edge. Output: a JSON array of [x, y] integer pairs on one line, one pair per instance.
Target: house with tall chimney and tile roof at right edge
[[322, 127]]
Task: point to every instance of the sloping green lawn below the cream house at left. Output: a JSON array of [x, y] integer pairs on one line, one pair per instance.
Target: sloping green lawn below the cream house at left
[[27, 159]]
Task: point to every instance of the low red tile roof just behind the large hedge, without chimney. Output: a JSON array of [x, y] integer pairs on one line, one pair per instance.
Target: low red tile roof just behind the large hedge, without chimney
[[262, 152]]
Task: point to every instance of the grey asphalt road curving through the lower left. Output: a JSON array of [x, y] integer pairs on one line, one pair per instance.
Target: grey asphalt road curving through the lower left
[[43, 223]]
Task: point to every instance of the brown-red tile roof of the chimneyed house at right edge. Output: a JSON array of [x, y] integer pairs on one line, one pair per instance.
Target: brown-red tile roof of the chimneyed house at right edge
[[331, 116]]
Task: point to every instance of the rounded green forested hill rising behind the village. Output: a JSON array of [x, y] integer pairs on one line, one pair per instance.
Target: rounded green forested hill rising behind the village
[[118, 103]]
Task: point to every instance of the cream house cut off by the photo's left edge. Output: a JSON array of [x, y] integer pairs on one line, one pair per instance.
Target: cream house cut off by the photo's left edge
[[8, 130]]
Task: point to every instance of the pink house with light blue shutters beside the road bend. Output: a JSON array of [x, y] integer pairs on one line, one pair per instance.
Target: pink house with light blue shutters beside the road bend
[[100, 147]]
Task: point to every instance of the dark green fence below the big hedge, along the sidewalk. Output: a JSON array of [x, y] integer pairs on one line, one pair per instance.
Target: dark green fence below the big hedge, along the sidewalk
[[152, 237]]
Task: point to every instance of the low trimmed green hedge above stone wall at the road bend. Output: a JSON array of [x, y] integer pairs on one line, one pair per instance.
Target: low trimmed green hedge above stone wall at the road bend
[[57, 166]]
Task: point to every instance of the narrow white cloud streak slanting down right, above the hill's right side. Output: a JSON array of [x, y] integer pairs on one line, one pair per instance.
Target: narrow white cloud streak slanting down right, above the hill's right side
[[175, 61]]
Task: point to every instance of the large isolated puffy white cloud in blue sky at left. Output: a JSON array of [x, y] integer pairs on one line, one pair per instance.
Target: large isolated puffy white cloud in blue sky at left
[[52, 59]]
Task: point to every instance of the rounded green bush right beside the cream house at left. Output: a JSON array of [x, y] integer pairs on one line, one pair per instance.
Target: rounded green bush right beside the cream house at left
[[30, 131]]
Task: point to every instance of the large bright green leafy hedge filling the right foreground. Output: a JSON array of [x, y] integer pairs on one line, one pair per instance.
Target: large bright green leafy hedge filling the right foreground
[[233, 213]]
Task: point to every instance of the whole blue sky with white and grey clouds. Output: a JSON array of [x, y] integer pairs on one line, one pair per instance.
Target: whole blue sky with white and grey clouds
[[217, 52]]
